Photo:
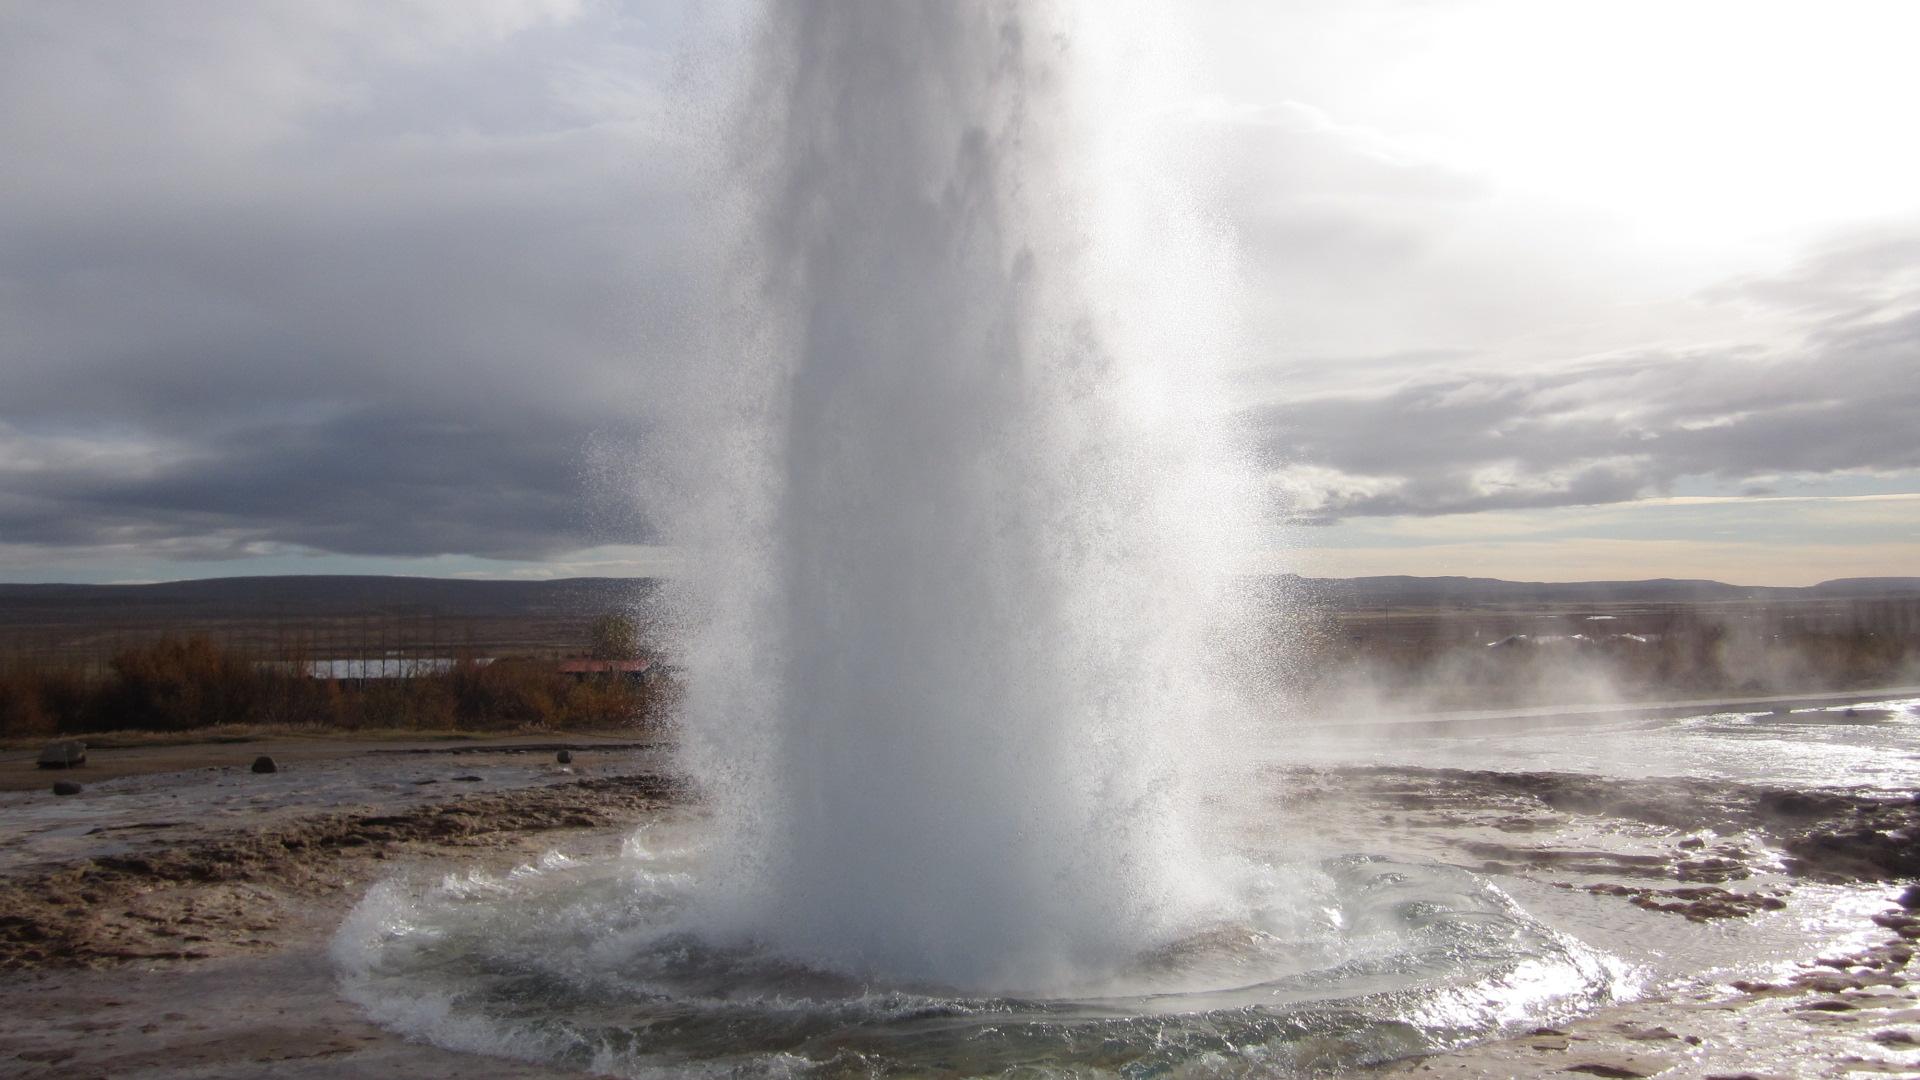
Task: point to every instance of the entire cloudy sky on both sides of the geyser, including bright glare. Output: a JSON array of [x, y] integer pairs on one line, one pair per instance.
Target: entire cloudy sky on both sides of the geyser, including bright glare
[[1560, 291]]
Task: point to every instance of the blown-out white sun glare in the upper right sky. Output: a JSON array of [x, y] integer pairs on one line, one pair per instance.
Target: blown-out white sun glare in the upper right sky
[[1702, 122]]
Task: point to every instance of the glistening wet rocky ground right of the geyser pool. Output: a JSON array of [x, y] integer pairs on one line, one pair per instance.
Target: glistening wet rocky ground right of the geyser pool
[[1700, 852]]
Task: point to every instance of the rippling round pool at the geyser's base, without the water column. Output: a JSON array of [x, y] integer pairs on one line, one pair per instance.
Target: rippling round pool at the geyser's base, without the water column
[[596, 964]]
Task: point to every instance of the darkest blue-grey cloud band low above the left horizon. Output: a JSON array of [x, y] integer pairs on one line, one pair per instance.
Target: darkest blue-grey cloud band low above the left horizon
[[368, 483]]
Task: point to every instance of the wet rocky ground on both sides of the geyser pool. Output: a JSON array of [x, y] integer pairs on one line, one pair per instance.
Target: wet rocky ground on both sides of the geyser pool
[[178, 923]]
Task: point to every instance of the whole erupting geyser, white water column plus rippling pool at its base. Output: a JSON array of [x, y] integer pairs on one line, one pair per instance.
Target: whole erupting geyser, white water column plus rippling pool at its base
[[959, 639]]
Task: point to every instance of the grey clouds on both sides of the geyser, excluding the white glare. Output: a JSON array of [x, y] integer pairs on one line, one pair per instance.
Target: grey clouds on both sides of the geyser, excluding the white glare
[[402, 282]]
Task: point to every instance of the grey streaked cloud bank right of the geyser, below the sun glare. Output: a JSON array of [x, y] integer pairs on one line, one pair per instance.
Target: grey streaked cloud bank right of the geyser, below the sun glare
[[1844, 397]]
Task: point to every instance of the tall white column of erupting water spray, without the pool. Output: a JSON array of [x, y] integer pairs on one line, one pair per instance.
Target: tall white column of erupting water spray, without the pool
[[963, 526]]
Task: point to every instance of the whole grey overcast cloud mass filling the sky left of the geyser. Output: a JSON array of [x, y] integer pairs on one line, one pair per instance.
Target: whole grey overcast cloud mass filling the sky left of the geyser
[[360, 278]]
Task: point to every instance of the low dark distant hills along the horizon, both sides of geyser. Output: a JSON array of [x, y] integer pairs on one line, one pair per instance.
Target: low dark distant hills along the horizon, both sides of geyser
[[462, 599]]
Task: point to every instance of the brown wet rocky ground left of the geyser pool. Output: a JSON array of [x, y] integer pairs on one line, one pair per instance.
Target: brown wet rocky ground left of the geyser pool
[[178, 923]]
